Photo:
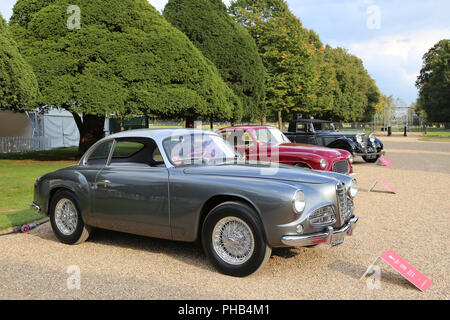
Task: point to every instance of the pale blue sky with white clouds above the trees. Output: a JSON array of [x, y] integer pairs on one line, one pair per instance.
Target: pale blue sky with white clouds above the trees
[[390, 36]]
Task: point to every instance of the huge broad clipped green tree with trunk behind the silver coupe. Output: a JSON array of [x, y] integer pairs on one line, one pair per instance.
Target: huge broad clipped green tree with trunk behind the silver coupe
[[124, 59]]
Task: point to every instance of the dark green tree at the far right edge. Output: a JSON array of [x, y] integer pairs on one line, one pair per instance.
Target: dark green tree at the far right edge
[[434, 83]]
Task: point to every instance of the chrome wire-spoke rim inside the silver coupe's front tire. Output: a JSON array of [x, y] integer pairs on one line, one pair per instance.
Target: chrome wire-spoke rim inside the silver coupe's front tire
[[233, 240]]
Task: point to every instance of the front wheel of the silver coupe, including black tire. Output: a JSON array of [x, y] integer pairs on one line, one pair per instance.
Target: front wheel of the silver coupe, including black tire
[[250, 253]]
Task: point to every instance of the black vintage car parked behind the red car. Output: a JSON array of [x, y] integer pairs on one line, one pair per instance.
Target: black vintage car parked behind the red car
[[323, 133]]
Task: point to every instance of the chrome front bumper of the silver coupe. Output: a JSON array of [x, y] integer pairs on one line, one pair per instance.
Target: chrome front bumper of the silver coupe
[[330, 237]]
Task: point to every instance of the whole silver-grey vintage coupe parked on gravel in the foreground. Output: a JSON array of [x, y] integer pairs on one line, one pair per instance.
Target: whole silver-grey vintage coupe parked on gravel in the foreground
[[186, 185]]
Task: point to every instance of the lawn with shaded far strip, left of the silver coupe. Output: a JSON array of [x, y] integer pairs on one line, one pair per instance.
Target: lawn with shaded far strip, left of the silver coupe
[[18, 172]]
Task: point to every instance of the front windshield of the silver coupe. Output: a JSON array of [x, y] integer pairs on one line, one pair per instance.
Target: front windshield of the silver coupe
[[195, 149]]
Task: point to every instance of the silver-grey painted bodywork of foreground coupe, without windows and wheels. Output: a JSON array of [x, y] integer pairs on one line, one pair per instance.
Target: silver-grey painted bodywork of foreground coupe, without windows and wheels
[[171, 202]]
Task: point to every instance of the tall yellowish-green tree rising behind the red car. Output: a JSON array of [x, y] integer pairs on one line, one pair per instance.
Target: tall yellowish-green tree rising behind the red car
[[288, 51]]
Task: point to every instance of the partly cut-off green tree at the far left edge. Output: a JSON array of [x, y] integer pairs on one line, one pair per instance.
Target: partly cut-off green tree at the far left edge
[[18, 84]]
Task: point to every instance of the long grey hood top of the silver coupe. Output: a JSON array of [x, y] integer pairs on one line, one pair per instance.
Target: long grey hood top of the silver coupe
[[267, 171]]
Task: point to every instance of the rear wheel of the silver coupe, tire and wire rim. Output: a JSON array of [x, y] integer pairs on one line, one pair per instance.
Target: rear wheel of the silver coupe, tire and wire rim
[[70, 228]]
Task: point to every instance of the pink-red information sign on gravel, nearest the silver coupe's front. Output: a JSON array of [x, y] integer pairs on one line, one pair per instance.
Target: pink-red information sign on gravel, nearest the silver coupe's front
[[406, 270]]
